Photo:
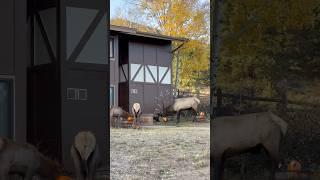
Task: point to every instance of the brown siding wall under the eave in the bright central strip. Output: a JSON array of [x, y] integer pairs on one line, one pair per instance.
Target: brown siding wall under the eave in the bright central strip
[[150, 94]]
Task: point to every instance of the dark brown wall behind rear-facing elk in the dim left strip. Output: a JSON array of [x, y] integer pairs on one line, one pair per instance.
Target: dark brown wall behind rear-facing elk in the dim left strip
[[87, 113]]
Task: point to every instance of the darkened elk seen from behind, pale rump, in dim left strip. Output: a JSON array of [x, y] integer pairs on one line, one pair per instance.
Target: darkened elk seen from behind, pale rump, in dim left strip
[[85, 155]]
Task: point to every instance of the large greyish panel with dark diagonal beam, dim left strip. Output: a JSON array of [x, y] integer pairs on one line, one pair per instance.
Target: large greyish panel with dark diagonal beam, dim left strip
[[86, 36]]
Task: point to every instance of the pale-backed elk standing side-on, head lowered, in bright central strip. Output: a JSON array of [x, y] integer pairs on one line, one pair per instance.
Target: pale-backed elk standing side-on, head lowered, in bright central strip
[[181, 104]]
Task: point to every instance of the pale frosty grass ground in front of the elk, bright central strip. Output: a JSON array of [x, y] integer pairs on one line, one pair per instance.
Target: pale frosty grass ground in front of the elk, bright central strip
[[161, 152]]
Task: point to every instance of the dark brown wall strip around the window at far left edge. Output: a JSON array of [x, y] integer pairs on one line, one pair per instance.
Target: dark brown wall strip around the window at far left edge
[[14, 57]]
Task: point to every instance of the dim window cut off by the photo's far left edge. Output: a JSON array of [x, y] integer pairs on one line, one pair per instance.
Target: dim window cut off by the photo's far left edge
[[6, 108]]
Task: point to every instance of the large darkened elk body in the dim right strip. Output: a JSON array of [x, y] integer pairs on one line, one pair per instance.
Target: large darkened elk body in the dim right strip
[[233, 135]]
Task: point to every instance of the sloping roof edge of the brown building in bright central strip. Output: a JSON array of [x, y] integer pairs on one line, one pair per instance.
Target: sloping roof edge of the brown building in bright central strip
[[135, 32]]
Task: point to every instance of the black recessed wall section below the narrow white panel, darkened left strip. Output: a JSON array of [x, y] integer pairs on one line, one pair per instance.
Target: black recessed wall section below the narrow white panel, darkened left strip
[[44, 127]]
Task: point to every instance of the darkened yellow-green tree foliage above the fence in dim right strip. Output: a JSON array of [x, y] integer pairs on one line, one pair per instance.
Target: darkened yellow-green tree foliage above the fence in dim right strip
[[264, 42]]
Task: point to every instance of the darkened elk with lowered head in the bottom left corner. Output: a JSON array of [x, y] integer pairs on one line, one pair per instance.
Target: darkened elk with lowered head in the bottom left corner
[[26, 161]]
